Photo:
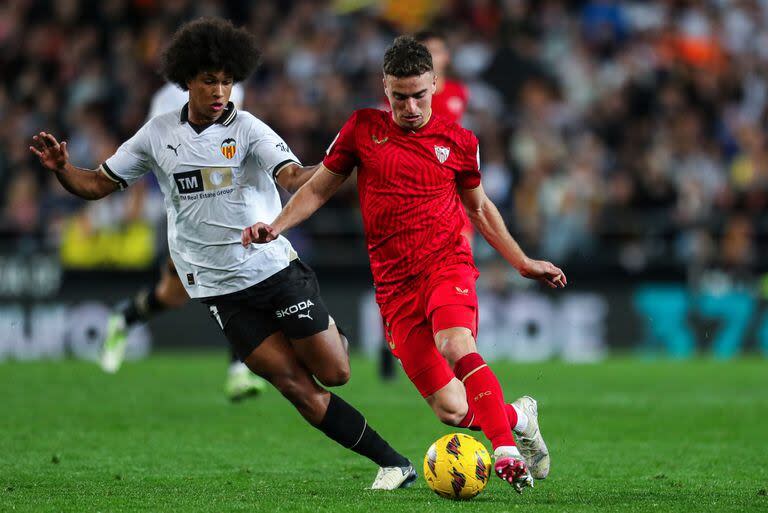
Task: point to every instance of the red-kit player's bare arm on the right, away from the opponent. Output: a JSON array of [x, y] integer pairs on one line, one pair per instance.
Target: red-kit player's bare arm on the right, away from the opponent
[[488, 221]]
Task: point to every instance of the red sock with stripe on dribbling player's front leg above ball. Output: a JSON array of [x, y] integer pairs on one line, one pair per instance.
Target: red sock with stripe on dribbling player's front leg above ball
[[485, 398]]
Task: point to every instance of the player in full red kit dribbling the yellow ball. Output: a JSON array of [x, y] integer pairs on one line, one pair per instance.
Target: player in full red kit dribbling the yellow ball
[[416, 172]]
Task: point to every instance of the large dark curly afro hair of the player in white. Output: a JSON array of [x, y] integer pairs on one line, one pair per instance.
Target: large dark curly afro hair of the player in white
[[209, 44]]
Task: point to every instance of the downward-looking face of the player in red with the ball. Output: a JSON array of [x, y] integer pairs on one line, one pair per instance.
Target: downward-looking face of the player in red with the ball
[[410, 98]]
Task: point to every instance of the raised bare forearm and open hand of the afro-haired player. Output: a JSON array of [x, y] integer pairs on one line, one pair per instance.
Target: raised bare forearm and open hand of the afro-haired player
[[88, 184]]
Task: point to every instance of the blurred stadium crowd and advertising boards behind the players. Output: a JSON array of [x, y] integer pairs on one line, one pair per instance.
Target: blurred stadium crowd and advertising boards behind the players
[[625, 141]]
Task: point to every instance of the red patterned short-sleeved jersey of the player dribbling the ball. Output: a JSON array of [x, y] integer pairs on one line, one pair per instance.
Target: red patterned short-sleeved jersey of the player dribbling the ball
[[408, 184]]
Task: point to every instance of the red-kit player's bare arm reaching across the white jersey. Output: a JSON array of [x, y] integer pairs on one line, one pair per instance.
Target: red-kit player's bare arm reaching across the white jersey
[[311, 196]]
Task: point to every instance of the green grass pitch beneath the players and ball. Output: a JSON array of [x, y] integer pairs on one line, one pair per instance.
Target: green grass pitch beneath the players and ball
[[159, 436]]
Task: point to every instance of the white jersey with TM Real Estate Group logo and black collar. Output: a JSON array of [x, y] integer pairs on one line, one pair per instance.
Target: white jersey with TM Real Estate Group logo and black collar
[[214, 184]]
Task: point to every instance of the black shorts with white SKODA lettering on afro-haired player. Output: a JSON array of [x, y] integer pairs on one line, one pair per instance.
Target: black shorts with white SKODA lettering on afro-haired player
[[288, 301]]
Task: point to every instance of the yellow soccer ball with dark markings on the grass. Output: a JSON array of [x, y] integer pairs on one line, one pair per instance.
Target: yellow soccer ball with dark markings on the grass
[[457, 466]]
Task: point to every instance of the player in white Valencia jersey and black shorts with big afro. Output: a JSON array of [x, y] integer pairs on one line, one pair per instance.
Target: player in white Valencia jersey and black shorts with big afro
[[218, 168]]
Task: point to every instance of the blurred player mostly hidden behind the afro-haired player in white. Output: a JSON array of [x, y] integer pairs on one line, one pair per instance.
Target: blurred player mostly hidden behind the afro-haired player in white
[[169, 293]]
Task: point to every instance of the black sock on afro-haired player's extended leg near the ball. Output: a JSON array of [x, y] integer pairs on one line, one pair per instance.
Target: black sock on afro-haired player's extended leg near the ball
[[347, 427]]
